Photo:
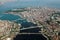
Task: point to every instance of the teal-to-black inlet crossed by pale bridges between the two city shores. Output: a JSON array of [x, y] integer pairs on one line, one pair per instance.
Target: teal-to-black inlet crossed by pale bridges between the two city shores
[[24, 24]]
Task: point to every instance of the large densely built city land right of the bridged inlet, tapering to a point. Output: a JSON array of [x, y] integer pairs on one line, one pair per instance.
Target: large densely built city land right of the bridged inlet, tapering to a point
[[47, 17]]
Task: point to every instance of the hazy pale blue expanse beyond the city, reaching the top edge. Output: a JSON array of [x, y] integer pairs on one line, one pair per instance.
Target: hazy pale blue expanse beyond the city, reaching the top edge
[[9, 4]]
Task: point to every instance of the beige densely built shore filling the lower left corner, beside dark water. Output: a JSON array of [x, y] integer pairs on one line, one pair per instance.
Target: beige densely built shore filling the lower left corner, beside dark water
[[8, 29]]
